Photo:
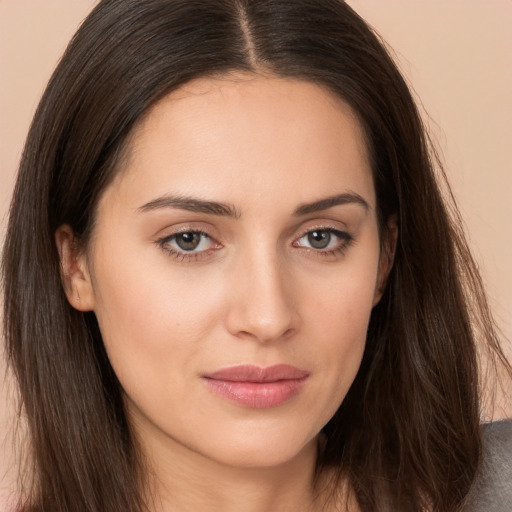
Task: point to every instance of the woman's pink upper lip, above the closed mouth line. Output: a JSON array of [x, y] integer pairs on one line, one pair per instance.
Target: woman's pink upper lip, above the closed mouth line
[[251, 373]]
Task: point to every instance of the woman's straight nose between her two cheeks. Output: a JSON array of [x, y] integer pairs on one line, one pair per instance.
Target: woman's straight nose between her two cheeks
[[263, 307]]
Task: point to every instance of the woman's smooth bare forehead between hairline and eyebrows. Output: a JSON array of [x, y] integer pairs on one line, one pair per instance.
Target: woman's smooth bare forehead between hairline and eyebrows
[[250, 135]]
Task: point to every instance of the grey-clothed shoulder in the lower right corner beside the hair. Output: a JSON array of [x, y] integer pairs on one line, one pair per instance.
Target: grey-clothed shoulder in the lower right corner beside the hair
[[492, 491]]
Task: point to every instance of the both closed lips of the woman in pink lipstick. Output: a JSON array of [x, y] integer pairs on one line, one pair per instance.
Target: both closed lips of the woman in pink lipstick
[[256, 387]]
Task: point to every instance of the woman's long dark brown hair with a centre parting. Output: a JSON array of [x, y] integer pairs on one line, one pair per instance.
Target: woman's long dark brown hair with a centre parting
[[407, 436]]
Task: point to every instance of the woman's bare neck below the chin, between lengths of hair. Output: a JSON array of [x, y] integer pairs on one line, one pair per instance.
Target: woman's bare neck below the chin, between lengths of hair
[[185, 480]]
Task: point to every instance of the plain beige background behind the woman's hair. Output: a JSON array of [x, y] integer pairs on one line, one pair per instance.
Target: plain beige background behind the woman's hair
[[457, 54]]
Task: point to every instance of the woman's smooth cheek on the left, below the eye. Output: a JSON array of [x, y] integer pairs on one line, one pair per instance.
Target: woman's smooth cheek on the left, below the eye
[[151, 321]]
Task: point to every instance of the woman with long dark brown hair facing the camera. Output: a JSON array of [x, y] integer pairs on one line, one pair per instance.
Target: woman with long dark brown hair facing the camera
[[231, 280]]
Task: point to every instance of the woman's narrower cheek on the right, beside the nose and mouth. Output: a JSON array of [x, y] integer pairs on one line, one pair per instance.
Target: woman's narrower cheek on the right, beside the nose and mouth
[[336, 314]]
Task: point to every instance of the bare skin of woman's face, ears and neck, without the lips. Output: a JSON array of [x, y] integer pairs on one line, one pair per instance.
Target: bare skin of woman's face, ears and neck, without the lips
[[255, 291]]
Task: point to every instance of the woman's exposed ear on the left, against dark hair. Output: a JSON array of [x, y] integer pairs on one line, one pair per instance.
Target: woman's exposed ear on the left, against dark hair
[[74, 272]]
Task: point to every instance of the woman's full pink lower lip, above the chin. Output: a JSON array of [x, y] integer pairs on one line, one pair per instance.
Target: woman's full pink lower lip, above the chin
[[258, 395]]
